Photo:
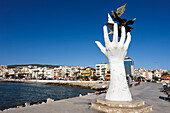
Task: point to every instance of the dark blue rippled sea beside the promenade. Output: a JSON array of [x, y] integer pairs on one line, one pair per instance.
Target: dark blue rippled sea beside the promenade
[[15, 94]]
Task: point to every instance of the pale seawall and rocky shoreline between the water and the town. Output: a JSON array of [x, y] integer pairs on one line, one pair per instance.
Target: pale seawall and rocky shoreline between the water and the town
[[93, 85]]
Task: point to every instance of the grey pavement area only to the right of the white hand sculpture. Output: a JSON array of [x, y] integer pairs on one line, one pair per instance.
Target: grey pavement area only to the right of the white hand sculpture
[[150, 93]]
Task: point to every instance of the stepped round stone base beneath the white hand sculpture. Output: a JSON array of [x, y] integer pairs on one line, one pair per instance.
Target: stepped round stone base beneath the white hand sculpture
[[134, 106]]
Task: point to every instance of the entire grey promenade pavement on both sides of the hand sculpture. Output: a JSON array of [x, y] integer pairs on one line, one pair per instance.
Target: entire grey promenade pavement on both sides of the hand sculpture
[[148, 92]]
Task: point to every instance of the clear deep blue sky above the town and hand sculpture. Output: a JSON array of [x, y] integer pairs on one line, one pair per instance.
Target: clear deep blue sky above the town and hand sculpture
[[63, 32]]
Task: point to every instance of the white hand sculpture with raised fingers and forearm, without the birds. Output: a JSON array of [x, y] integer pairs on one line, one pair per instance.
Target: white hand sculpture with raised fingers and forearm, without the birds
[[115, 52]]
